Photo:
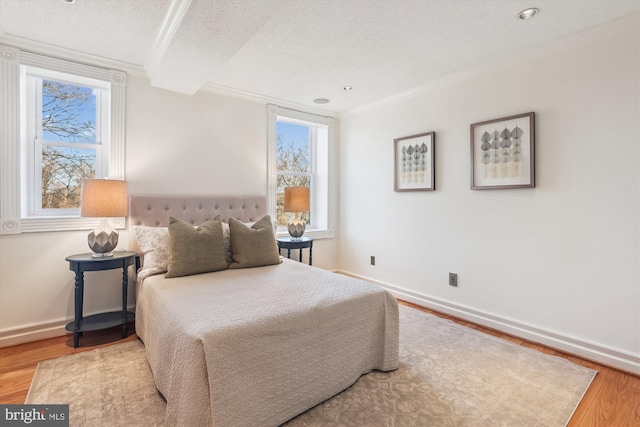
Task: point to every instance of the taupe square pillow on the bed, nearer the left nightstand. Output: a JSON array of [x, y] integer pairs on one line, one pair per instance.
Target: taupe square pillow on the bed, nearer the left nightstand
[[195, 250]]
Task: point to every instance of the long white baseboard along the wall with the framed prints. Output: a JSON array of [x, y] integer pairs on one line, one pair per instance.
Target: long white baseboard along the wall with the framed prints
[[599, 353]]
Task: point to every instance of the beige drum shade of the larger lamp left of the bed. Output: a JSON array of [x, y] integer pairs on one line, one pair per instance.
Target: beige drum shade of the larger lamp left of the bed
[[104, 198]]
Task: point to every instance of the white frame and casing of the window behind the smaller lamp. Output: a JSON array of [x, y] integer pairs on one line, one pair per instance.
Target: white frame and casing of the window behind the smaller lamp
[[321, 225]]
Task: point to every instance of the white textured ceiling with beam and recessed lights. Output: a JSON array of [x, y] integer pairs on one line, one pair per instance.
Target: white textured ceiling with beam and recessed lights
[[299, 50]]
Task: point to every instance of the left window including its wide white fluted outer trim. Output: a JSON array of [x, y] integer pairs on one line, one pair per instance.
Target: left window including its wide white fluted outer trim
[[60, 122]]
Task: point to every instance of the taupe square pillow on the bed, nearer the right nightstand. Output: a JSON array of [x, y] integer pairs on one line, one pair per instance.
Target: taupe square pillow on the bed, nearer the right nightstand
[[253, 246]]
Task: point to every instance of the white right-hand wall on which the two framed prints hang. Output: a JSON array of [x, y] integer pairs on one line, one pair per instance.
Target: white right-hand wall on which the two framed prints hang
[[562, 258]]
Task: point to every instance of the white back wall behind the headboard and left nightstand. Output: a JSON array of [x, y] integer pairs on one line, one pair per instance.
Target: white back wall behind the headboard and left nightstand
[[200, 144]]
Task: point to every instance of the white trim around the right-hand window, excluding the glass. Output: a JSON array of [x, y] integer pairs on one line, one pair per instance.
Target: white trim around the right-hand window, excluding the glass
[[273, 111]]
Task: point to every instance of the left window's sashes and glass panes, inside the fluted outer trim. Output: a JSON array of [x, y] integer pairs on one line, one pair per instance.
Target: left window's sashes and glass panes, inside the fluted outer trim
[[66, 140]]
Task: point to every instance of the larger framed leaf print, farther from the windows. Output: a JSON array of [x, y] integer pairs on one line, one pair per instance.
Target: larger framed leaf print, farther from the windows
[[503, 153]]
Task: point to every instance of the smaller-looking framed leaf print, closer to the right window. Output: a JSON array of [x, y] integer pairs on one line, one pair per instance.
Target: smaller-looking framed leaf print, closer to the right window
[[414, 162]]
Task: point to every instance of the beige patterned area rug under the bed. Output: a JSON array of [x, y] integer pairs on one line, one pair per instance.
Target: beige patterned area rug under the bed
[[449, 375]]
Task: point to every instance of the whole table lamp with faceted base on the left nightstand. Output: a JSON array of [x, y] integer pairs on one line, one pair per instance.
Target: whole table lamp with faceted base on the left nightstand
[[103, 198]]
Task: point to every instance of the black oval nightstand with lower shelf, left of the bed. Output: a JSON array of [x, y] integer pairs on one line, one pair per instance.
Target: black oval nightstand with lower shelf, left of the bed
[[85, 262]]
